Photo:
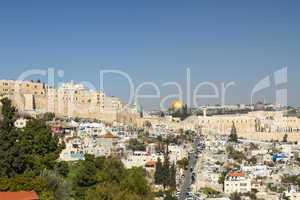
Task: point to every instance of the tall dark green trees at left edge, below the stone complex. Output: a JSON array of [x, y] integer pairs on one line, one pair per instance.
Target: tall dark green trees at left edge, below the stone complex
[[29, 150]]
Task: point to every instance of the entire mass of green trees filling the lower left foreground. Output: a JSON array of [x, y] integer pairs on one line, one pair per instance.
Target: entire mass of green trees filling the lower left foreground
[[28, 161]]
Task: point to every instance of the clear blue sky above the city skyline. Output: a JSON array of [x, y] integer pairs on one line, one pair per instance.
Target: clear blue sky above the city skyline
[[220, 41]]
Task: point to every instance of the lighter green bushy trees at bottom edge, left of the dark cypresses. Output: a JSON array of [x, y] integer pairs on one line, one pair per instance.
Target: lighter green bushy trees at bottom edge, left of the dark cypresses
[[110, 181]]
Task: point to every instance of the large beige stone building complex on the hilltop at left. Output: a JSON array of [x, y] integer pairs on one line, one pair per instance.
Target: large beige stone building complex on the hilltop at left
[[67, 100]]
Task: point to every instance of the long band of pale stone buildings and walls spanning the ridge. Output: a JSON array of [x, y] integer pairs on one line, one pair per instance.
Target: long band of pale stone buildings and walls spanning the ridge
[[74, 100]]
